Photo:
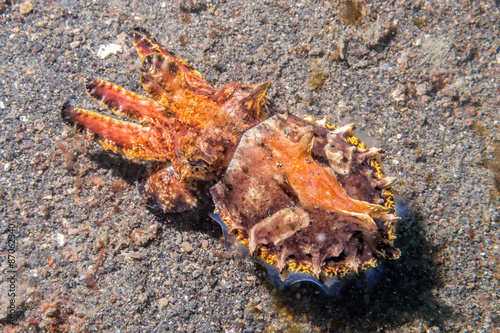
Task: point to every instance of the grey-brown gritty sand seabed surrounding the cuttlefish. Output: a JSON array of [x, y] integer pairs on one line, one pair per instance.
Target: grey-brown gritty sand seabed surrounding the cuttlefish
[[419, 78]]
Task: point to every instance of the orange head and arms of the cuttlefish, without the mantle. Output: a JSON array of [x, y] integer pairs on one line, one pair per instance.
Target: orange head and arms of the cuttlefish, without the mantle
[[185, 123]]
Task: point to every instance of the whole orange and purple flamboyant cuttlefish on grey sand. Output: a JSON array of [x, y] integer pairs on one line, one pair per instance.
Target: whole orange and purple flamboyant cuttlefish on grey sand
[[307, 198]]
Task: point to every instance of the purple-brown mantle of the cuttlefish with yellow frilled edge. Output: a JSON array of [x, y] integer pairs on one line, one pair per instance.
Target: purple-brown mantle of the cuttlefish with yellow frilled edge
[[308, 197]]
